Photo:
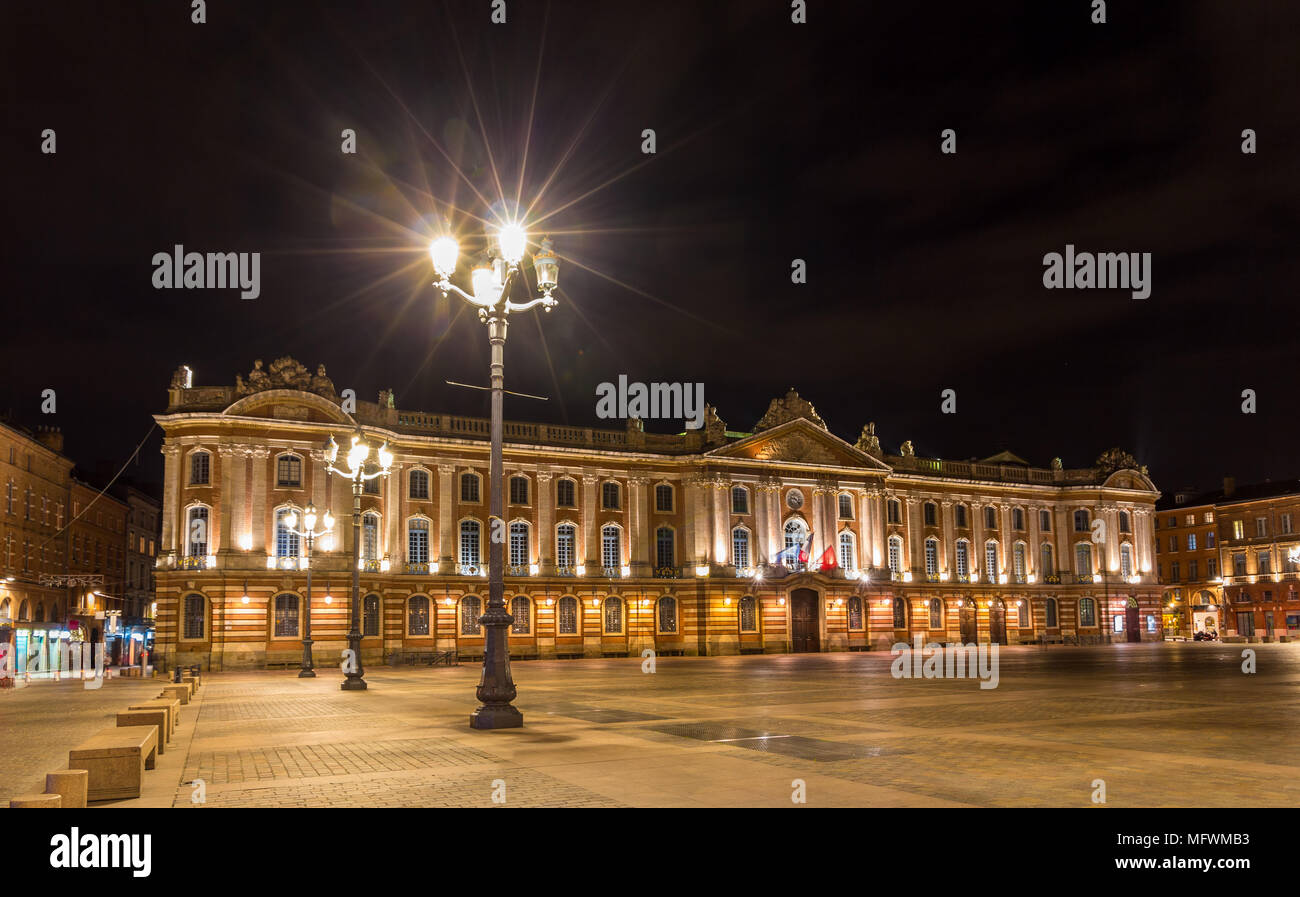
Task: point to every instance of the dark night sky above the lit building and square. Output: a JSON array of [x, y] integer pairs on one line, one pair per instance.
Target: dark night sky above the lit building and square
[[775, 142]]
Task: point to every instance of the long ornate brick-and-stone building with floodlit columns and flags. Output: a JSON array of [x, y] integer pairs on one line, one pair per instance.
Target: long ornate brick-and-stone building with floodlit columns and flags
[[714, 541]]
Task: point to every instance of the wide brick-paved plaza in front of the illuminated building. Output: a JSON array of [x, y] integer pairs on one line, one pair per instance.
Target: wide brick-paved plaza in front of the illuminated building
[[1165, 725]]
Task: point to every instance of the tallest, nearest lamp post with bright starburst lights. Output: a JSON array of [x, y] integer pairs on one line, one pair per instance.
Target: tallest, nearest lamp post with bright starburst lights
[[491, 285]]
